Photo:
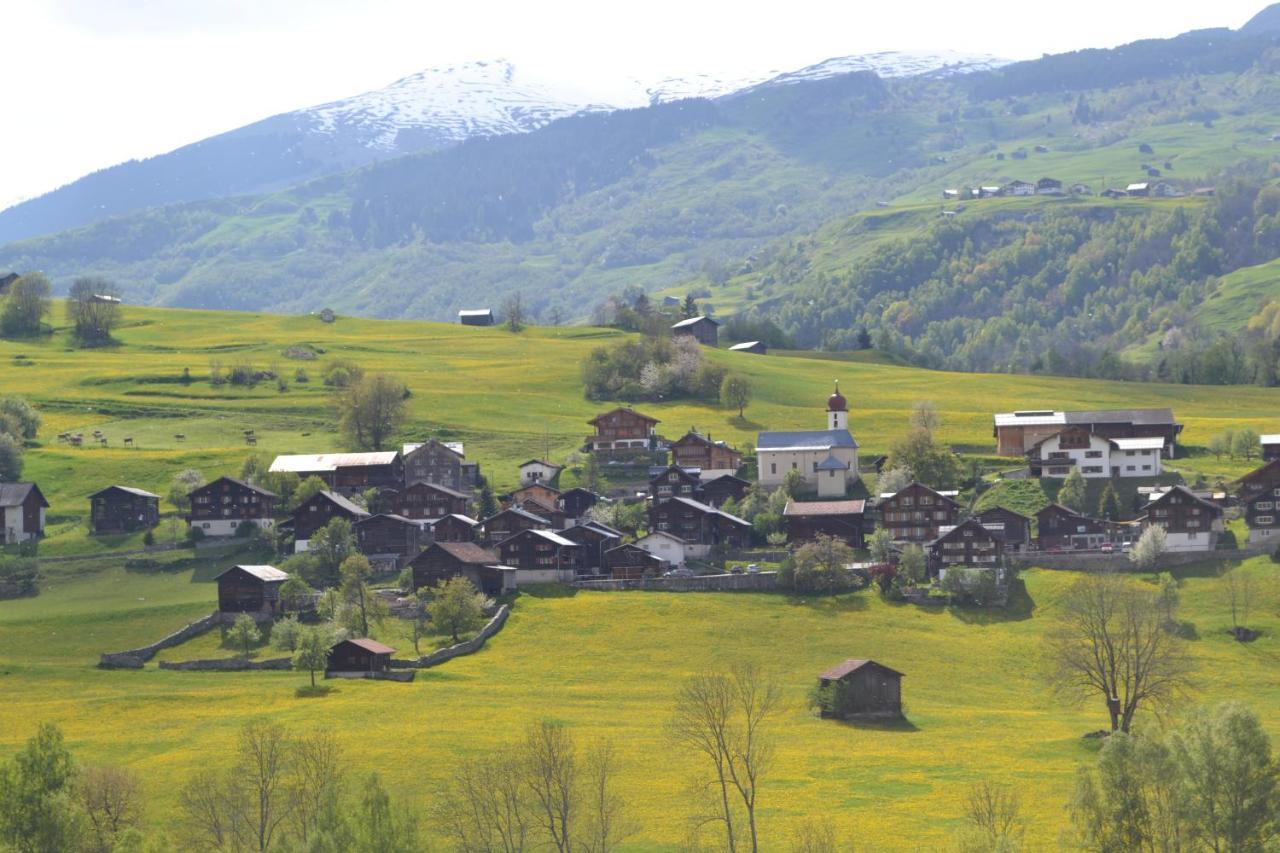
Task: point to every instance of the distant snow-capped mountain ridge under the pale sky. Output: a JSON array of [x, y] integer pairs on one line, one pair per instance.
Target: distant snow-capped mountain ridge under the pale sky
[[428, 111]]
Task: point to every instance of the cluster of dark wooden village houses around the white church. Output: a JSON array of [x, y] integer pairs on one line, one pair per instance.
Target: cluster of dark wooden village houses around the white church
[[543, 533]]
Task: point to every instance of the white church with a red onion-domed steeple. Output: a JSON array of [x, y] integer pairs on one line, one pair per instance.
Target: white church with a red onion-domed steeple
[[828, 459]]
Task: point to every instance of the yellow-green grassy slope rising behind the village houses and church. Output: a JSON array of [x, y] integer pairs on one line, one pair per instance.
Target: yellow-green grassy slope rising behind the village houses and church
[[508, 396]]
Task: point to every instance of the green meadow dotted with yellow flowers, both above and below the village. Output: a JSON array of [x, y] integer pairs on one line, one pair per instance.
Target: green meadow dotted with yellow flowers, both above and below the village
[[606, 664]]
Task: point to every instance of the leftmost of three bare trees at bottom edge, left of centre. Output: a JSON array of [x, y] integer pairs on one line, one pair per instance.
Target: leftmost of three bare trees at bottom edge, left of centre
[[484, 809]]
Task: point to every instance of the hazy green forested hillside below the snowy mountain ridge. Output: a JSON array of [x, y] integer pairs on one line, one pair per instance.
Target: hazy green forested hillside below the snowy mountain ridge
[[812, 204]]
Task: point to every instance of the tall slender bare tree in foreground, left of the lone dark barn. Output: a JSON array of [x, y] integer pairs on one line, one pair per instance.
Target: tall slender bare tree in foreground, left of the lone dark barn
[[726, 719]]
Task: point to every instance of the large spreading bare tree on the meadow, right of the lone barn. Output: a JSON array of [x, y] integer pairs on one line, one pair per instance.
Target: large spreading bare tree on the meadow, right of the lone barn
[[1112, 641]]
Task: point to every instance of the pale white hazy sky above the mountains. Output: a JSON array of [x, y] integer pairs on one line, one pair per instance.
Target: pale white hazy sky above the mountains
[[88, 84]]
